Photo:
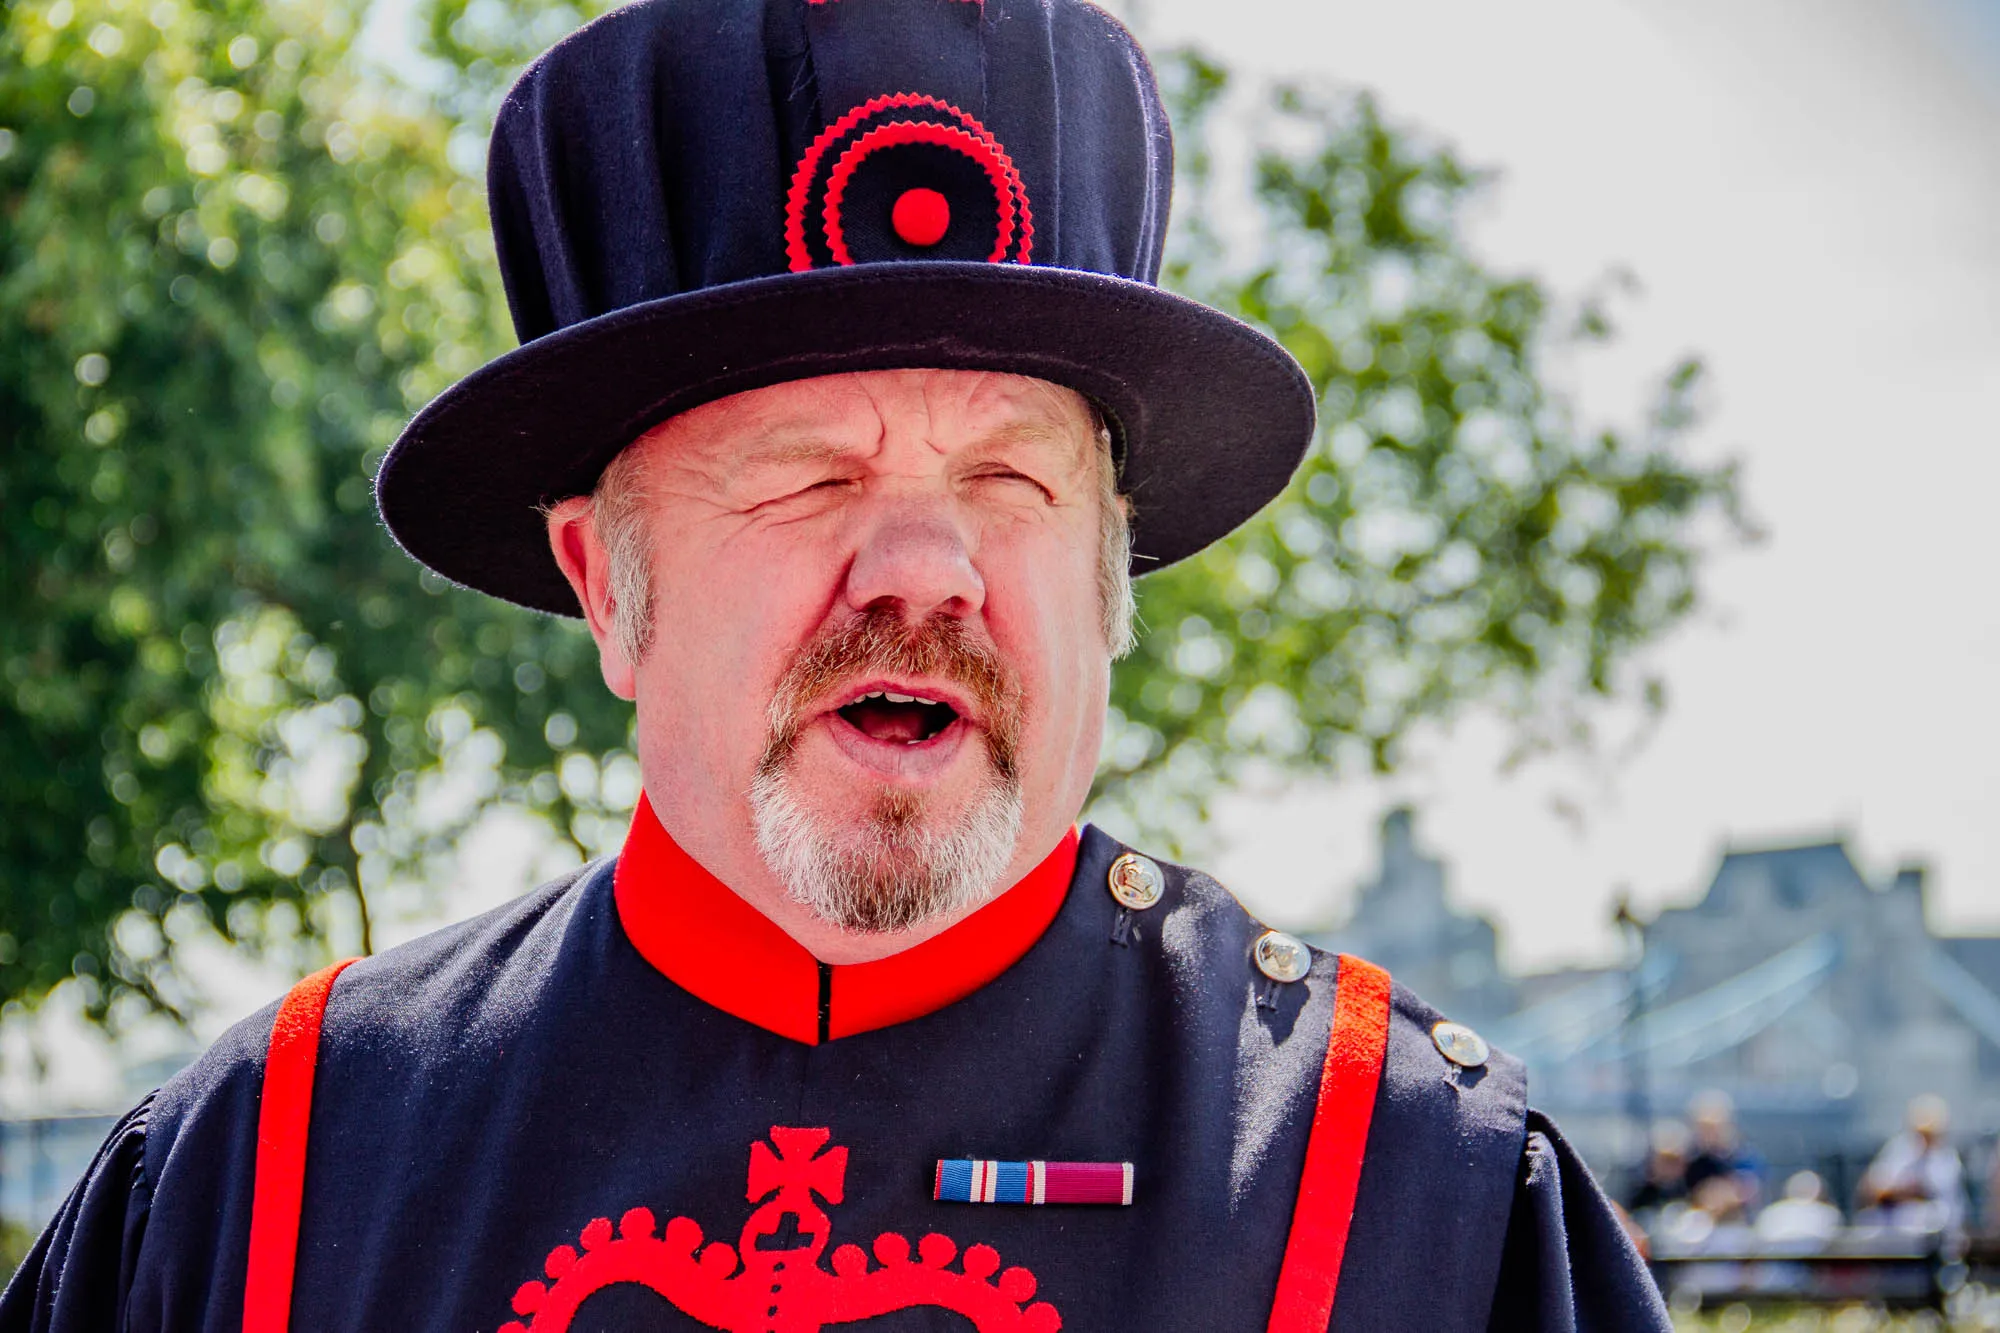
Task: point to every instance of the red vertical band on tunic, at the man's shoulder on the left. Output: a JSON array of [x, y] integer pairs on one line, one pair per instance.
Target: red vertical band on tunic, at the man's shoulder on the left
[[281, 1152]]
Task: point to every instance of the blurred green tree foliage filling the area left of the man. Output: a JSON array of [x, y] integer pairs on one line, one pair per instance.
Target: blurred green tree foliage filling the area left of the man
[[231, 267]]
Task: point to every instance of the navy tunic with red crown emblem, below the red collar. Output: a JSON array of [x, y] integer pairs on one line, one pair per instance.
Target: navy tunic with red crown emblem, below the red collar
[[523, 1122]]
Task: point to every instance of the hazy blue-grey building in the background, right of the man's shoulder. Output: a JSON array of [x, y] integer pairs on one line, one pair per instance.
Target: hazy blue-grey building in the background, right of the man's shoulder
[[1817, 1000]]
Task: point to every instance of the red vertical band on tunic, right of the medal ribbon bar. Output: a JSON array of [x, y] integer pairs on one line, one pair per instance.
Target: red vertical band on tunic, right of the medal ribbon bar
[[1333, 1174]]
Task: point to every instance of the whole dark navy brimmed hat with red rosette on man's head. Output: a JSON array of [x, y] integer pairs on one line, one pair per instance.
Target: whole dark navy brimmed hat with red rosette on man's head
[[701, 197]]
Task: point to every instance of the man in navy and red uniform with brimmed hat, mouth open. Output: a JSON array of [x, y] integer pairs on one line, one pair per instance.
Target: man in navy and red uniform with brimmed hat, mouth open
[[843, 409]]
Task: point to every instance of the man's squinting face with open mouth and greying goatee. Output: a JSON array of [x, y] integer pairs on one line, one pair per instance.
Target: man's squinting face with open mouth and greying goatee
[[879, 647]]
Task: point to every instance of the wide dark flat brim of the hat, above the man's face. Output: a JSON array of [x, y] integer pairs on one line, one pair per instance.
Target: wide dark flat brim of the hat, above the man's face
[[1211, 415]]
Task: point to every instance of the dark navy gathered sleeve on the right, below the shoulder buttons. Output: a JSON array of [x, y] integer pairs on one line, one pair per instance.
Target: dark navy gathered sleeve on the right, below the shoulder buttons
[[1567, 1264]]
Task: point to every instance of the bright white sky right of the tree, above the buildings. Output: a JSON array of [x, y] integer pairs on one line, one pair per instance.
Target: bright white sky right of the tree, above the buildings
[[1811, 195]]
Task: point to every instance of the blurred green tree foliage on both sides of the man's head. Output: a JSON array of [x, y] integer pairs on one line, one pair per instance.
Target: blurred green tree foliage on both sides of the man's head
[[233, 261]]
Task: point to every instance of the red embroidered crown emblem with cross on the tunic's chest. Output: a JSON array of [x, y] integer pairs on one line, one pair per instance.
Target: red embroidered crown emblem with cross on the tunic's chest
[[771, 1282]]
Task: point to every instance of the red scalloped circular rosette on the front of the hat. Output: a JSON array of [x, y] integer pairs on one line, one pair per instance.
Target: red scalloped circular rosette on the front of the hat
[[873, 133]]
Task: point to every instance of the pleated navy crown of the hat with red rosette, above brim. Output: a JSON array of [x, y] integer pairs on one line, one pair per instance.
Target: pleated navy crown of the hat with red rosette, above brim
[[681, 145]]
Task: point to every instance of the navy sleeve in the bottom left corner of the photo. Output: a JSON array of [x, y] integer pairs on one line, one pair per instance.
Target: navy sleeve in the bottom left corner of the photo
[[79, 1276]]
